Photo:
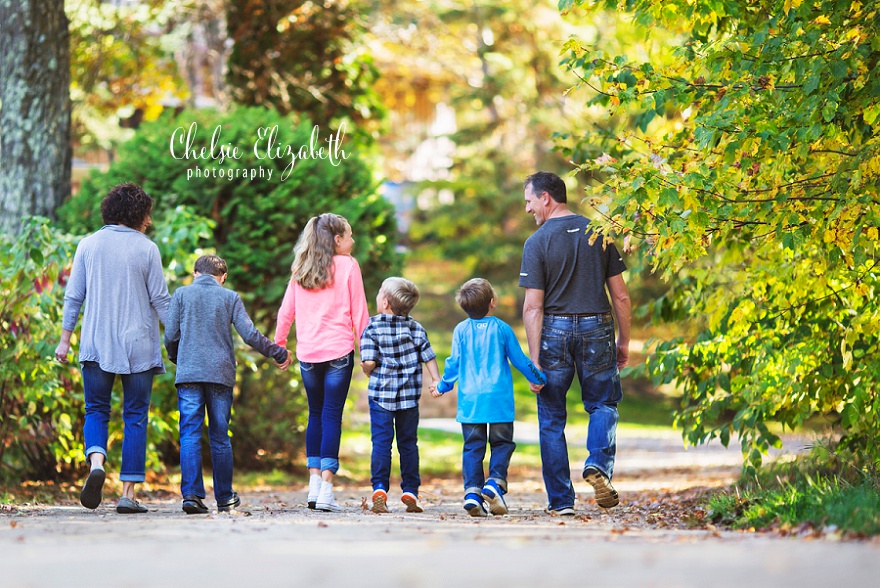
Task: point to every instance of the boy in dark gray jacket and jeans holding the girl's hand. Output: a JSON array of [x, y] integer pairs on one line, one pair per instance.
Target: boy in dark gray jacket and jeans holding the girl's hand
[[199, 340]]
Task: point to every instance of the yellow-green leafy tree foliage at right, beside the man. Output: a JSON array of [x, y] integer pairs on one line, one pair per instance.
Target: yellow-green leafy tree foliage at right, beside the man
[[748, 177]]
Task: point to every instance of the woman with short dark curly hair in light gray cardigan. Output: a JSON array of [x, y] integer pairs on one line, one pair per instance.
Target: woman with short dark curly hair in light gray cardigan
[[117, 276]]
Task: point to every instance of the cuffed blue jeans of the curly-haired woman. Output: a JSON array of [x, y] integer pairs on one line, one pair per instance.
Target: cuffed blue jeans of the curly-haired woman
[[136, 391]]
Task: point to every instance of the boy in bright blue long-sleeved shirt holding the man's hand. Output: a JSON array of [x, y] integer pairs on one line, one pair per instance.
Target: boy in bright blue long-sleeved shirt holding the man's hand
[[482, 345]]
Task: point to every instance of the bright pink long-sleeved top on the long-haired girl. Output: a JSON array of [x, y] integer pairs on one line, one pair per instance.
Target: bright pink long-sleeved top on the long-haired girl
[[328, 321]]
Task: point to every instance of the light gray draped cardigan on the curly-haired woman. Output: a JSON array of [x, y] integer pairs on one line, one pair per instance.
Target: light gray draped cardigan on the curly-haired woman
[[117, 274]]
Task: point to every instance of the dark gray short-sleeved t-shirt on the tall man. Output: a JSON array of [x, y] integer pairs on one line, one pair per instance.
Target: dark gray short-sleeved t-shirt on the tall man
[[559, 260]]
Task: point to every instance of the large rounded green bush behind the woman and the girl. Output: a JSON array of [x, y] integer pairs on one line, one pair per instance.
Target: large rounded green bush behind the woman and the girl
[[255, 226]]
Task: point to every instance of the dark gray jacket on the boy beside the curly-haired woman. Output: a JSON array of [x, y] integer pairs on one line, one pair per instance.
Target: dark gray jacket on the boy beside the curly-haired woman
[[198, 336]]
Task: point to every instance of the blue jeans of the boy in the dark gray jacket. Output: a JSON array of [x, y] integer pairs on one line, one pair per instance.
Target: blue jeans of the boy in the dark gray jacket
[[192, 400]]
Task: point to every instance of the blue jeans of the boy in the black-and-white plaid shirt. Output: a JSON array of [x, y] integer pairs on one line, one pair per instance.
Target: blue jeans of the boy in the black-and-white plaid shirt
[[383, 424]]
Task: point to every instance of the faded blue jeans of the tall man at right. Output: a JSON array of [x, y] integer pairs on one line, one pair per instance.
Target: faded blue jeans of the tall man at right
[[586, 346]]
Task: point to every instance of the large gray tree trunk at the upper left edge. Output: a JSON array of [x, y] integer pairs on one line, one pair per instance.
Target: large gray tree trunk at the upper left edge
[[35, 147]]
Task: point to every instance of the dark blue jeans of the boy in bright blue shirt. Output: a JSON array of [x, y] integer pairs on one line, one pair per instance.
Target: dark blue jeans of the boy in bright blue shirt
[[500, 438]]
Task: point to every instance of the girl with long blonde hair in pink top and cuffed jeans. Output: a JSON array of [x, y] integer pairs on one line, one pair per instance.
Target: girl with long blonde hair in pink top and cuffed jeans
[[326, 298]]
